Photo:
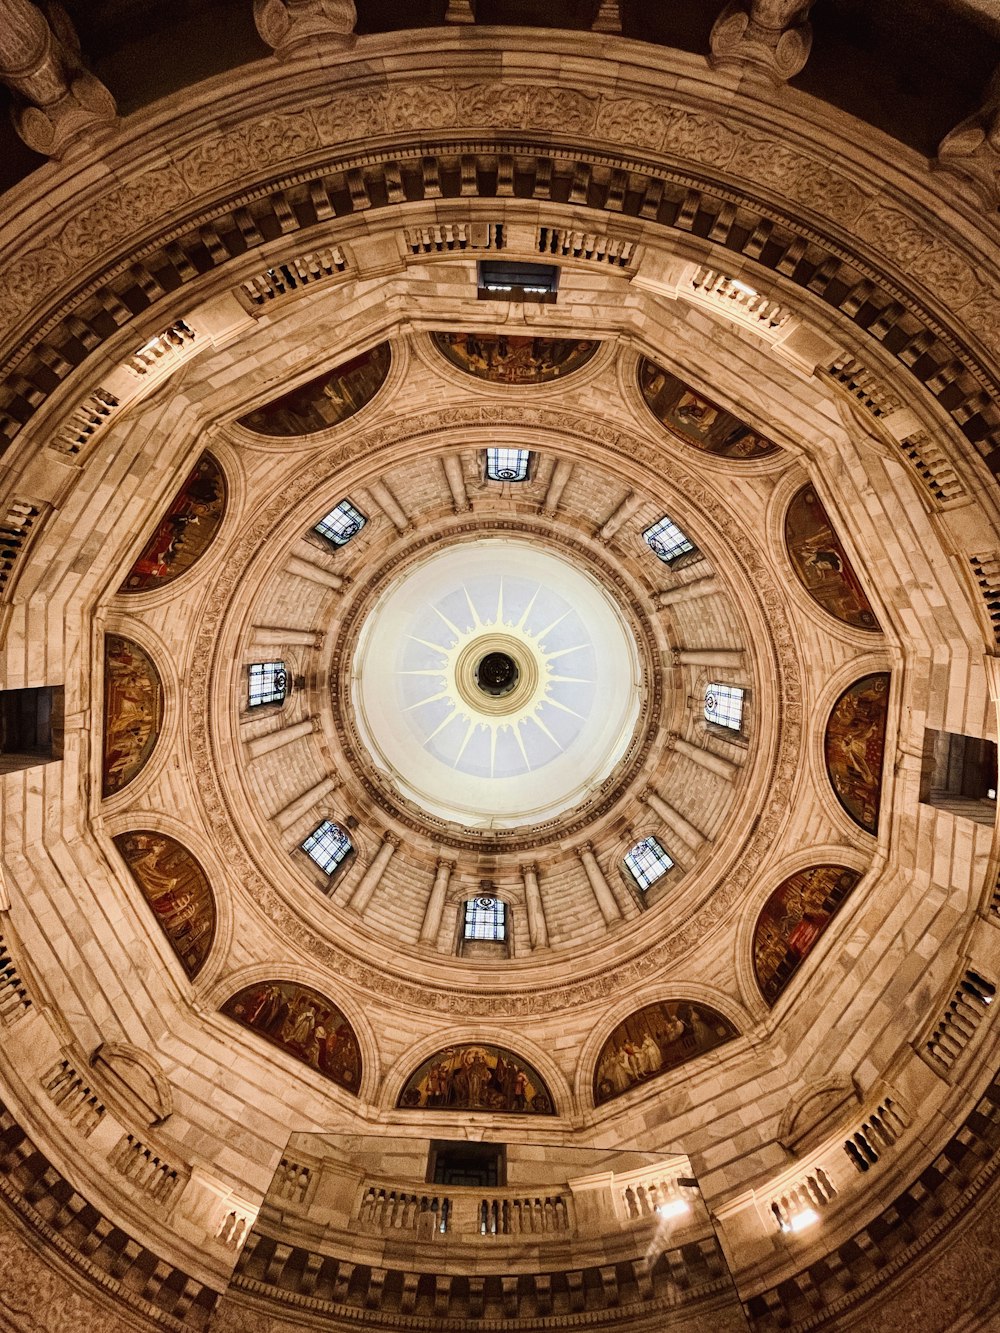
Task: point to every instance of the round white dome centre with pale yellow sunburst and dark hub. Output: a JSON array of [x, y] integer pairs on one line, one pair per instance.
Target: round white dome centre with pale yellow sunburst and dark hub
[[497, 684]]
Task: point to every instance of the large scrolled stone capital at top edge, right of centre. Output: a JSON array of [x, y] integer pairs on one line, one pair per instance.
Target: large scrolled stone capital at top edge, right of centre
[[769, 37]]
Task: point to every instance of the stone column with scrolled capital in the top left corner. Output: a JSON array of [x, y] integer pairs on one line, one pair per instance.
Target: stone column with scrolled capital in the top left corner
[[42, 65]]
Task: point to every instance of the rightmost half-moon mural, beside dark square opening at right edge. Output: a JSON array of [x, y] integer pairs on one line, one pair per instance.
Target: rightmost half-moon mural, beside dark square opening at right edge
[[854, 748]]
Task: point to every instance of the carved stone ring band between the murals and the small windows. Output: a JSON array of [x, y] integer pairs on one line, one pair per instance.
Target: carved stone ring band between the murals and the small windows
[[745, 859]]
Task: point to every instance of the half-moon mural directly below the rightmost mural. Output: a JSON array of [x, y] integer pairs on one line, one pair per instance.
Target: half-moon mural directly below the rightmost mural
[[794, 919]]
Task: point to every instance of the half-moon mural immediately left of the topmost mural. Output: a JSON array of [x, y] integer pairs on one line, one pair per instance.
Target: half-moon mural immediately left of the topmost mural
[[325, 402]]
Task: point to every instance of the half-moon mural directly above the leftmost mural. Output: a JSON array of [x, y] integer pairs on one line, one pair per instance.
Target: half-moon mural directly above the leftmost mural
[[185, 533]]
